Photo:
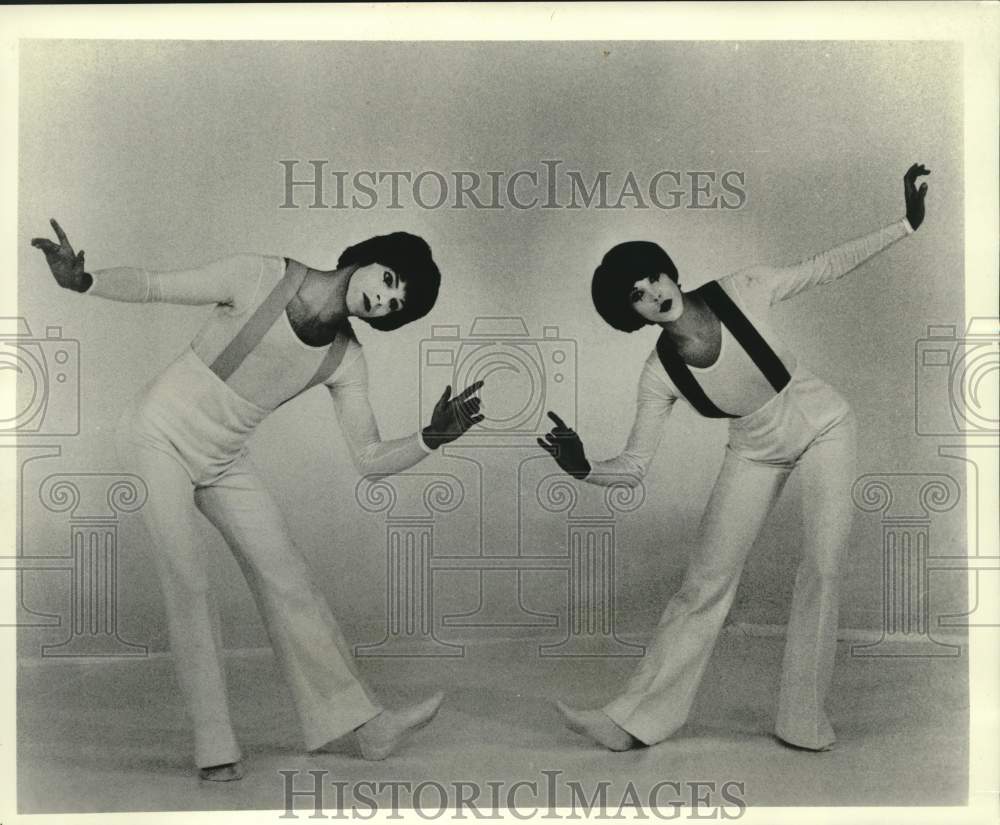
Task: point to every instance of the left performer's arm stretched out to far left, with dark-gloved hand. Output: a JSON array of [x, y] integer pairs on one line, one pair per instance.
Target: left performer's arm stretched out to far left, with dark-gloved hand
[[220, 282]]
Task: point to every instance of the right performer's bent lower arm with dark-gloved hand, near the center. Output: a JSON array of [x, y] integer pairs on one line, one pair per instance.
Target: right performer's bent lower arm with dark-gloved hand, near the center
[[654, 403]]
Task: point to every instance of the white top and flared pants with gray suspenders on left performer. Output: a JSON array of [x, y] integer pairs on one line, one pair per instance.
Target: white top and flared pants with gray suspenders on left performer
[[185, 436]]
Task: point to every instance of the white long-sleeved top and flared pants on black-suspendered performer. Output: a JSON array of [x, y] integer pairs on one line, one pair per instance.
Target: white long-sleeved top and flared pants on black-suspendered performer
[[805, 425]]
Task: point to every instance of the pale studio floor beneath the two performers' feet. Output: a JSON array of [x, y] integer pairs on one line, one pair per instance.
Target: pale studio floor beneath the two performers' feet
[[112, 736]]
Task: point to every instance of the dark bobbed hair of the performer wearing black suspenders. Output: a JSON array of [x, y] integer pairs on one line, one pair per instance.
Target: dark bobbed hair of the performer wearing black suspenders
[[620, 268]]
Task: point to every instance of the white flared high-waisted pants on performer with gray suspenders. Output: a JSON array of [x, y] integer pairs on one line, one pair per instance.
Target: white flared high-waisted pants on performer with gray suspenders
[[184, 437]]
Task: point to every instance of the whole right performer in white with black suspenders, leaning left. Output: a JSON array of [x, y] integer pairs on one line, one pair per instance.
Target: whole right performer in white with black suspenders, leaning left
[[717, 352]]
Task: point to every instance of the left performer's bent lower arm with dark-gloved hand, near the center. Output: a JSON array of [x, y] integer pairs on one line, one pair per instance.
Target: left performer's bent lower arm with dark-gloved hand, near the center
[[370, 454]]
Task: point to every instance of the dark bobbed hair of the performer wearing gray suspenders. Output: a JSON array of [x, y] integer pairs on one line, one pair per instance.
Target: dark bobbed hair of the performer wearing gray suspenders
[[409, 257]]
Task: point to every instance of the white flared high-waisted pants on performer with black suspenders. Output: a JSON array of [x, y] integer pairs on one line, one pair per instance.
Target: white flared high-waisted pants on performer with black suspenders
[[809, 429]]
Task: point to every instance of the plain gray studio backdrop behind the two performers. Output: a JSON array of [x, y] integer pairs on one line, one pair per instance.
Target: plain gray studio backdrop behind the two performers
[[168, 155]]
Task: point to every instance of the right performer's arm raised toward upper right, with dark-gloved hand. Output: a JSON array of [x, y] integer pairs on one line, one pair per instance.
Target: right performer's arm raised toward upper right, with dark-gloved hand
[[779, 283]]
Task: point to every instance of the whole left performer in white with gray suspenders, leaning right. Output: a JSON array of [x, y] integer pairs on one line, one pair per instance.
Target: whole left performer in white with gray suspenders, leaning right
[[277, 328]]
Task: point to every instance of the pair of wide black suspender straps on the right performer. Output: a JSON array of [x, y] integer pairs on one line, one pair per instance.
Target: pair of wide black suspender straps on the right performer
[[746, 335]]
